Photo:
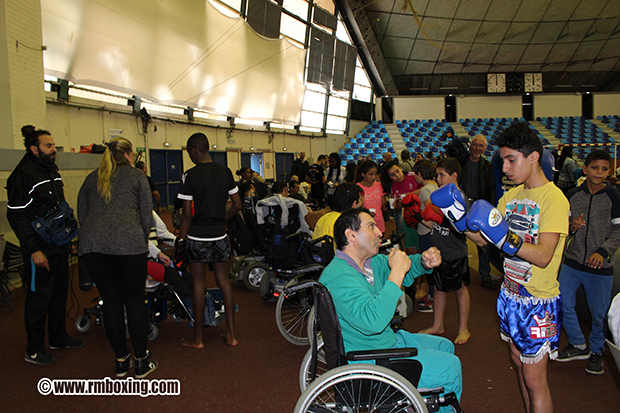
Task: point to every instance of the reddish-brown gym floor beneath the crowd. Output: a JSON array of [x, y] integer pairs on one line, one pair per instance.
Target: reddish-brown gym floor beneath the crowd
[[261, 374]]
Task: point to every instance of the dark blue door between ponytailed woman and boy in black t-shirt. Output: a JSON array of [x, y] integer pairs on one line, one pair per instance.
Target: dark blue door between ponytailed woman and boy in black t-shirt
[[166, 170]]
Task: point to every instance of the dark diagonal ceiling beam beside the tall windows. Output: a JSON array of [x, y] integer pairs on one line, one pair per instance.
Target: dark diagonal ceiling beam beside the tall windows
[[364, 38]]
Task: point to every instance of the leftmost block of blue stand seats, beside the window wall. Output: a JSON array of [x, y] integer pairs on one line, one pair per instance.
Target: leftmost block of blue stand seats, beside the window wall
[[373, 141]]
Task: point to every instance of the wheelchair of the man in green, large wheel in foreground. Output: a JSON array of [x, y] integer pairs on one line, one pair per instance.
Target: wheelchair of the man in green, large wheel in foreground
[[329, 384]]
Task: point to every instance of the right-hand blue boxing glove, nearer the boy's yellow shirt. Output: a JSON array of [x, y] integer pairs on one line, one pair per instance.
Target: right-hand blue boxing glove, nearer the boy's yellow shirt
[[487, 219]]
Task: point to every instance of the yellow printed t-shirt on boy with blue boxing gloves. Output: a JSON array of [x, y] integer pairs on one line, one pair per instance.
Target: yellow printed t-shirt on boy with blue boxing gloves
[[530, 212]]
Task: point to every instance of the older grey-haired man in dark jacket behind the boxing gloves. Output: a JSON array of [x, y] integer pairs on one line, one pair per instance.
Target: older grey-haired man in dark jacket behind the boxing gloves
[[477, 180]]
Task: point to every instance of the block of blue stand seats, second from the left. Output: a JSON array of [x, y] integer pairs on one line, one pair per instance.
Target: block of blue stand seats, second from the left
[[422, 136]]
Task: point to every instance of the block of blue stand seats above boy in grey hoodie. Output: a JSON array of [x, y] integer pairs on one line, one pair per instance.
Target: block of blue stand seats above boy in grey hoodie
[[578, 131]]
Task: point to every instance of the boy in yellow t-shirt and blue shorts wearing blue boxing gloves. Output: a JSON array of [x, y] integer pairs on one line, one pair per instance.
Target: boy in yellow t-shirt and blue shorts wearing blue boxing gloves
[[530, 226]]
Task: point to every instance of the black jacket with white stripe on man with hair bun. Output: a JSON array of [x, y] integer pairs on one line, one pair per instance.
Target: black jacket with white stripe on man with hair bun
[[34, 188]]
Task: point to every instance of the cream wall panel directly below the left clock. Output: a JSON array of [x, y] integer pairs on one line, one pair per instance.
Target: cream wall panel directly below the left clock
[[488, 107]]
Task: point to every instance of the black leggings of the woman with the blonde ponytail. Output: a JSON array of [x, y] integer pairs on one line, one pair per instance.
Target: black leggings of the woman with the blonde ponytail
[[120, 280]]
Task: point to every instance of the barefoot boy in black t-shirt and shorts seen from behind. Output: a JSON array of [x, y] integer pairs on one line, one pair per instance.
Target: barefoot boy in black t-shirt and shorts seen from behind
[[208, 185]]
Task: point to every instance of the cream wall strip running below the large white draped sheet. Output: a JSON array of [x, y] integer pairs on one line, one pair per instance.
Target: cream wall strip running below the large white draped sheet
[[73, 126]]
